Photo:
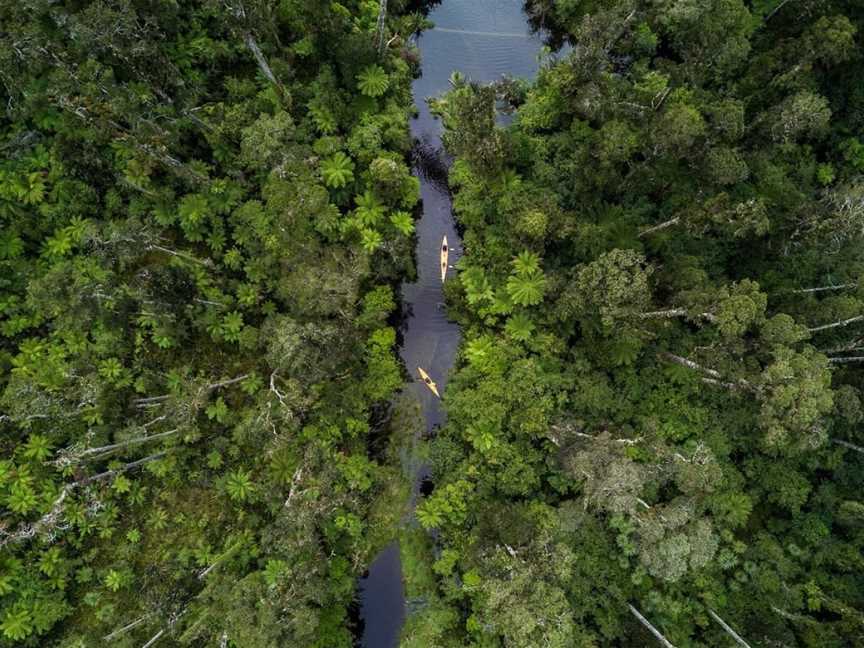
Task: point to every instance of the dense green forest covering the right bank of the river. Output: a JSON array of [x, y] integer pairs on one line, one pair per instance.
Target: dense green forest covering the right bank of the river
[[658, 406]]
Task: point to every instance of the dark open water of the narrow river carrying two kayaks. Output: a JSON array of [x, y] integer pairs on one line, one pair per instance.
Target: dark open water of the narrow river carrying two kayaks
[[484, 40]]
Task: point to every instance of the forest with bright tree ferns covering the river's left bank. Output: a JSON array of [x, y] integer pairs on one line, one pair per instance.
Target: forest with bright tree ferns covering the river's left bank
[[204, 206]]
